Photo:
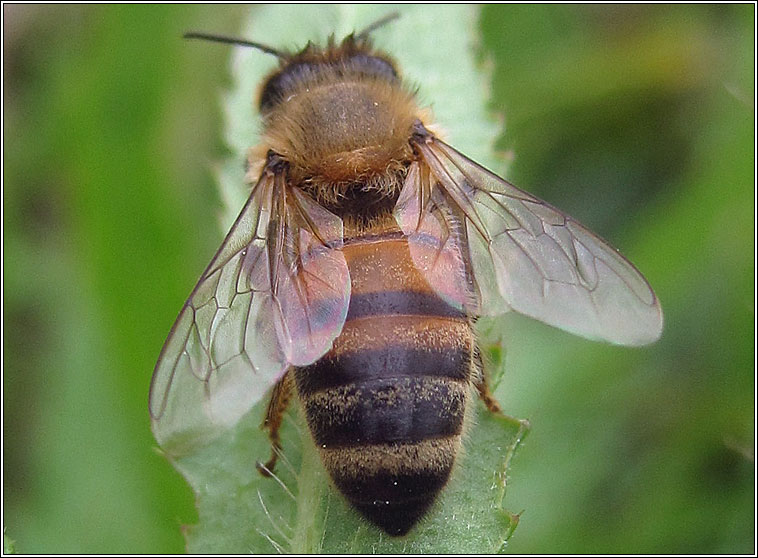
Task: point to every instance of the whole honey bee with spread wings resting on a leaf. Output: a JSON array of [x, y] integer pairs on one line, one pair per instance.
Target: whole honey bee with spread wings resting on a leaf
[[353, 276]]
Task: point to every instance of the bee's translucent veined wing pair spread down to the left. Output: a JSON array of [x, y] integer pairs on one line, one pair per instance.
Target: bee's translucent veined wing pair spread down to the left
[[260, 306]]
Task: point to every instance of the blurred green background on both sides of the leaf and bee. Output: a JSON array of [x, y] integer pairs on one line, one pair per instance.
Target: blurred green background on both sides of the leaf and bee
[[638, 120]]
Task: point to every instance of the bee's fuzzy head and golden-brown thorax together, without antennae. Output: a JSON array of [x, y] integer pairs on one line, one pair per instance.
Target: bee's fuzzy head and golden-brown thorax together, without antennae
[[342, 119]]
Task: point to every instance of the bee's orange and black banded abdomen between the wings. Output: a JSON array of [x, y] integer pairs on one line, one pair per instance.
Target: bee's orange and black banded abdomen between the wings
[[386, 405]]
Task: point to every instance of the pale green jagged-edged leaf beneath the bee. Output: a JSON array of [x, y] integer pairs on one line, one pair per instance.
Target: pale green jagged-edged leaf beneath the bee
[[299, 510]]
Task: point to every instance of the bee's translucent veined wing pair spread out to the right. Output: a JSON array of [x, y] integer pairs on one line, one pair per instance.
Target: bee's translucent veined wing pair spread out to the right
[[525, 255]]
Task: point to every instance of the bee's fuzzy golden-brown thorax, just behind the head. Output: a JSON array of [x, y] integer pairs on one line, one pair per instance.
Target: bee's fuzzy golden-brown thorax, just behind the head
[[342, 133]]
